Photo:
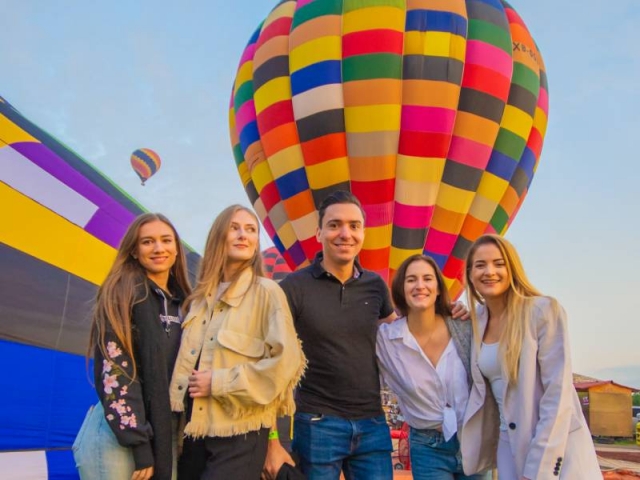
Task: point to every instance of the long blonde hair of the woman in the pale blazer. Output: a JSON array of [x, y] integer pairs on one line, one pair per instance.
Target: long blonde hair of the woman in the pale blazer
[[519, 300]]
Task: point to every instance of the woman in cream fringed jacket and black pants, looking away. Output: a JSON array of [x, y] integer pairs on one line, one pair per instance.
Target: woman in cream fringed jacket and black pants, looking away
[[239, 358]]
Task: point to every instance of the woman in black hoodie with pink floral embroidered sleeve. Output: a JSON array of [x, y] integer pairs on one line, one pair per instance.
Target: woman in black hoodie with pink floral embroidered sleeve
[[135, 336]]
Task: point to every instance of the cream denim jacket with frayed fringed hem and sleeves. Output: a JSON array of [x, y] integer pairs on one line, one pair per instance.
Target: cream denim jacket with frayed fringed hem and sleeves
[[248, 341]]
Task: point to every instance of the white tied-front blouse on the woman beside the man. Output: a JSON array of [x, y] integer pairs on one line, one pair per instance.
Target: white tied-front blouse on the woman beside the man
[[425, 392]]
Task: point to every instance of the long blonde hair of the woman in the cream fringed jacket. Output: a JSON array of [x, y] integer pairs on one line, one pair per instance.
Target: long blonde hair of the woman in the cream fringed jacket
[[211, 270]]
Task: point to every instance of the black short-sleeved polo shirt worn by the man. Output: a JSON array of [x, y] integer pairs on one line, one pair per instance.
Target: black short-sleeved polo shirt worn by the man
[[337, 324]]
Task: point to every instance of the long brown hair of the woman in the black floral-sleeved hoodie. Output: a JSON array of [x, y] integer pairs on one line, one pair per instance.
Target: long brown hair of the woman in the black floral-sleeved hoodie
[[117, 294]]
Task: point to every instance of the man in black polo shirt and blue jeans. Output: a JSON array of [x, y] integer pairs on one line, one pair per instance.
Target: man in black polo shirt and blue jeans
[[336, 307]]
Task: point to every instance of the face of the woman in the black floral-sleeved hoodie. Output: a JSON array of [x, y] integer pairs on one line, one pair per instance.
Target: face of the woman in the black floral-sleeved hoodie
[[156, 250]]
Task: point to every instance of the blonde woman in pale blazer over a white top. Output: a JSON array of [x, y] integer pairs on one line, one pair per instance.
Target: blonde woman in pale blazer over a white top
[[521, 363]]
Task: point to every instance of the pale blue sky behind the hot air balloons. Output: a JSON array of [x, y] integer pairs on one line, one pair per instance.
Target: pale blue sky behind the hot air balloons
[[109, 77]]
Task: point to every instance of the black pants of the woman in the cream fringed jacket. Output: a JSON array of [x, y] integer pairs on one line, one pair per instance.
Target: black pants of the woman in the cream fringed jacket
[[221, 458]]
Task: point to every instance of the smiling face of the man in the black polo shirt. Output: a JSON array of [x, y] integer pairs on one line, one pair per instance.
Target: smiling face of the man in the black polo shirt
[[341, 234]]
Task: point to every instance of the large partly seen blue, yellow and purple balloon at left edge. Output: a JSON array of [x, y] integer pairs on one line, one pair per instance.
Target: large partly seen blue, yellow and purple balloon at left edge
[[61, 221]]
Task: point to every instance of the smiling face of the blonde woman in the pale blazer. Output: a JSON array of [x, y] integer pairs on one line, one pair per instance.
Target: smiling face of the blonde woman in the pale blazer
[[489, 275]]
